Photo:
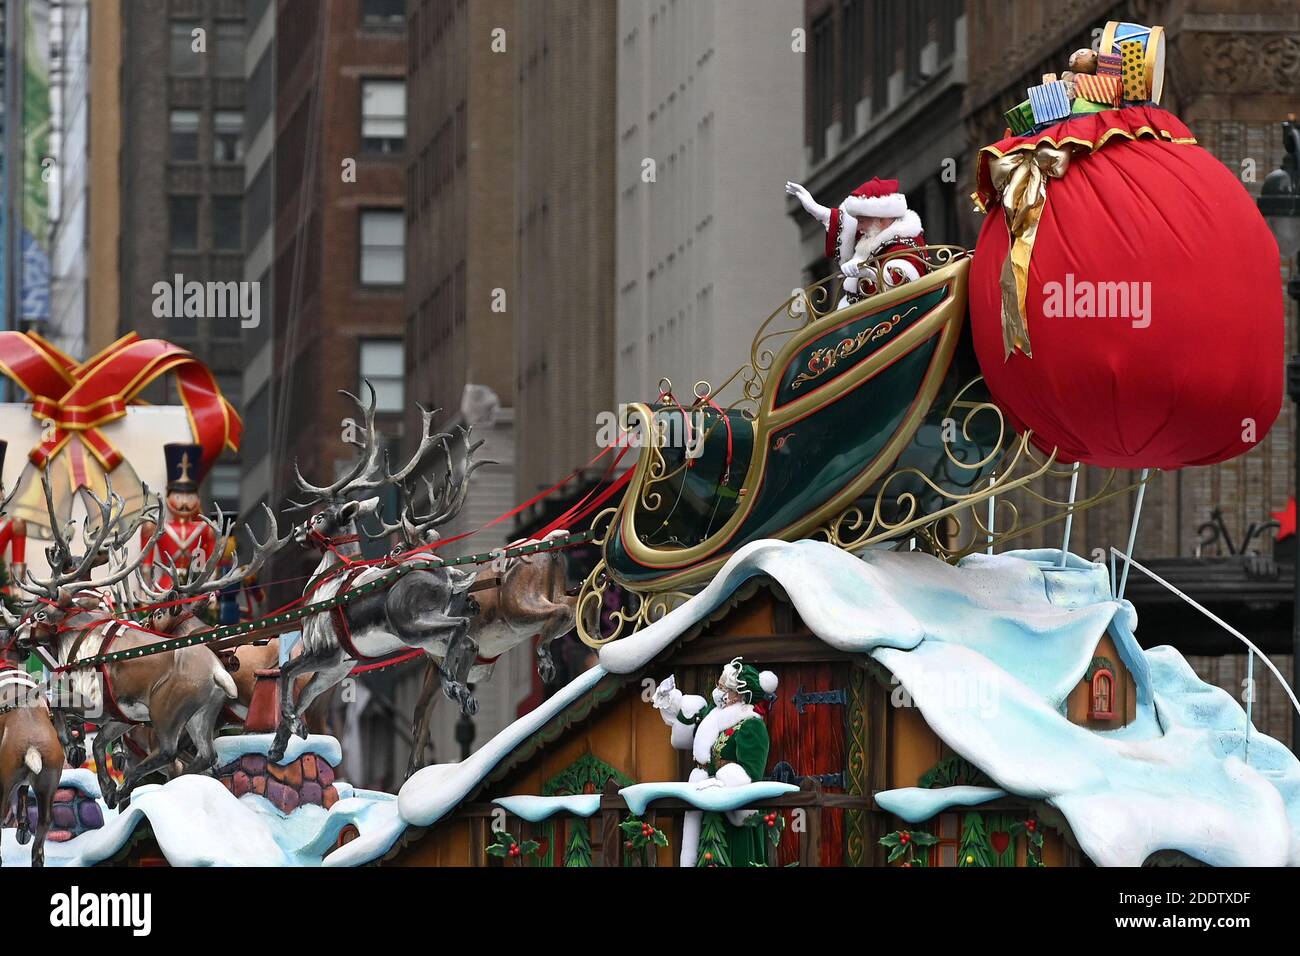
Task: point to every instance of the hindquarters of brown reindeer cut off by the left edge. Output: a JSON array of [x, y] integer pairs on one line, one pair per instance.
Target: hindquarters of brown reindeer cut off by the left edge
[[31, 756]]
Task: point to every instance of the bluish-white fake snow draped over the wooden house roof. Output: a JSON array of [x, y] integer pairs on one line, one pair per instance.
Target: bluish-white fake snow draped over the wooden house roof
[[1184, 776]]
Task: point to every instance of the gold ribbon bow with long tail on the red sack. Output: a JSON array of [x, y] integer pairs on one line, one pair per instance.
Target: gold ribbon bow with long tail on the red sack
[[1021, 180]]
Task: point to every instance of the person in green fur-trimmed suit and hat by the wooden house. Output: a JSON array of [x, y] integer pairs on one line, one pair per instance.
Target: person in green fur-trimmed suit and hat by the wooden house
[[729, 741]]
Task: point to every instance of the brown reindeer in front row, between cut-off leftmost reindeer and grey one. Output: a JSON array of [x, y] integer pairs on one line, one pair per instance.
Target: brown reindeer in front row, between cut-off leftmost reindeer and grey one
[[177, 693]]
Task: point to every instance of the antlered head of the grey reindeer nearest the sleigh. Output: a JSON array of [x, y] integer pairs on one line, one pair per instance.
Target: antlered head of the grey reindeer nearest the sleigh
[[339, 516]]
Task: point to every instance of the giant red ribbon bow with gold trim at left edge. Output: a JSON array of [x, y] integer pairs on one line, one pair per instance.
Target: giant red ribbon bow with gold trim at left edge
[[79, 399]]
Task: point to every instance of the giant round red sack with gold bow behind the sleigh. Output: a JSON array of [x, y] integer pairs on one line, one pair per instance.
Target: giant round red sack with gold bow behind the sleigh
[[1126, 299]]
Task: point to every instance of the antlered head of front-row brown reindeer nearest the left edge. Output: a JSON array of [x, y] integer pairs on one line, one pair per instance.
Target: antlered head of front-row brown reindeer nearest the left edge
[[70, 590]]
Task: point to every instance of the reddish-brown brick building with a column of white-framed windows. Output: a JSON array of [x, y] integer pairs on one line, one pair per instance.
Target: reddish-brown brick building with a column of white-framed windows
[[327, 196]]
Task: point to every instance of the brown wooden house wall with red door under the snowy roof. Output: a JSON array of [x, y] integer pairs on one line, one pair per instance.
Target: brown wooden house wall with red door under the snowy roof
[[869, 739]]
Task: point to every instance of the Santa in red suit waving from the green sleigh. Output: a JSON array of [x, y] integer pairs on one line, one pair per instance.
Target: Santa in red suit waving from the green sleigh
[[872, 232]]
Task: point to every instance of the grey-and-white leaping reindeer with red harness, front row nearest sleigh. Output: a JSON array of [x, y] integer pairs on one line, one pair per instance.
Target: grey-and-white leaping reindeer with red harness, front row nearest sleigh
[[426, 609]]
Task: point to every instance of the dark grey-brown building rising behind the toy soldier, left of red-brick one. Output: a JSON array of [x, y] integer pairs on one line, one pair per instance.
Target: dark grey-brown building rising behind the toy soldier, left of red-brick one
[[181, 162]]
